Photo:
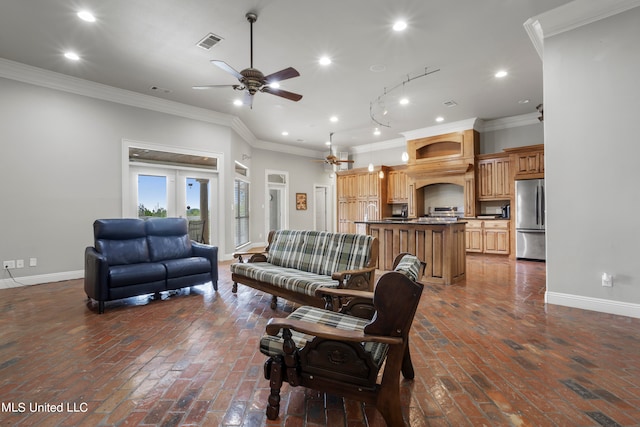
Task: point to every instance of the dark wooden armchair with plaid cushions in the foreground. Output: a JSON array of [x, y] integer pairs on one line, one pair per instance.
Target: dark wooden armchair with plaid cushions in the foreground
[[342, 354]]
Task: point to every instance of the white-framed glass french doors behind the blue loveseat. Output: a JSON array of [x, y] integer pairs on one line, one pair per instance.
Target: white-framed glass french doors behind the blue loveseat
[[176, 192]]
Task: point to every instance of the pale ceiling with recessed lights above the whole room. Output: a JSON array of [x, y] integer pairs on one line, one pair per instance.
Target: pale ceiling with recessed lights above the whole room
[[137, 44]]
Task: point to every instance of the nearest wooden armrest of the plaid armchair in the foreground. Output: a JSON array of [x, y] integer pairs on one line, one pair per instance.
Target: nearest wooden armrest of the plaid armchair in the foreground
[[327, 332]]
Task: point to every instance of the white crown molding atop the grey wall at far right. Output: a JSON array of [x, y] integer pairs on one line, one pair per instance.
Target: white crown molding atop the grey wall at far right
[[572, 15]]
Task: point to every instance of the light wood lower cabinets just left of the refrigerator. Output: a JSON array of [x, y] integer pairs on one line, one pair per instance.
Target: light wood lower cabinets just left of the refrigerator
[[488, 237]]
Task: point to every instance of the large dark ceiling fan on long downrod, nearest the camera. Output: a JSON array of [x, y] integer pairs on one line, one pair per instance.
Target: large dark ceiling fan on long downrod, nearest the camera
[[253, 80]]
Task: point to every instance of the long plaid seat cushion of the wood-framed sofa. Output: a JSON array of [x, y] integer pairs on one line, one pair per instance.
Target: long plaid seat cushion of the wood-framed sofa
[[286, 278]]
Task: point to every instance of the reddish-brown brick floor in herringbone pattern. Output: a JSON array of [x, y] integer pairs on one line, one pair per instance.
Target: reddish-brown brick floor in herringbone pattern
[[486, 352]]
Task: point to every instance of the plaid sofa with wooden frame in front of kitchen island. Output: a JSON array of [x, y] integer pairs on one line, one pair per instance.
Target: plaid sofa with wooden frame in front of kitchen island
[[296, 263]]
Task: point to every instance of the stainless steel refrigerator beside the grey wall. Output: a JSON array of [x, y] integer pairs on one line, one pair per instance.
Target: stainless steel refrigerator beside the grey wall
[[530, 219]]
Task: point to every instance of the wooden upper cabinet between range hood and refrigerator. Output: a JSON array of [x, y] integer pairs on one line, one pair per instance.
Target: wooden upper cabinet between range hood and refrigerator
[[494, 177]]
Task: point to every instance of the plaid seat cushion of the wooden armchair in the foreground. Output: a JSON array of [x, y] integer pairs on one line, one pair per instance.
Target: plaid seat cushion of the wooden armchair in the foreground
[[272, 345]]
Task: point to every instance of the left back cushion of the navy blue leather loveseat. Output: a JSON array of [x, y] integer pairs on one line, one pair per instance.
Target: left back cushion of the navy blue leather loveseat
[[121, 240]]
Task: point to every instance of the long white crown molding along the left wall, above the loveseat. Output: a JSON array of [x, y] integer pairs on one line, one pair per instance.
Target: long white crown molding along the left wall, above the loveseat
[[57, 81]]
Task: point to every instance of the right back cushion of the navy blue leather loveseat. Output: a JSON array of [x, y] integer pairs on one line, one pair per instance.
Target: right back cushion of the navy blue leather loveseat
[[168, 238]]
